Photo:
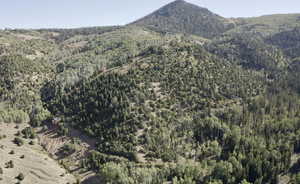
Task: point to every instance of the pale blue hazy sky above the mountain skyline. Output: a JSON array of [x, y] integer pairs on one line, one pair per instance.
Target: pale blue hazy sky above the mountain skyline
[[82, 13]]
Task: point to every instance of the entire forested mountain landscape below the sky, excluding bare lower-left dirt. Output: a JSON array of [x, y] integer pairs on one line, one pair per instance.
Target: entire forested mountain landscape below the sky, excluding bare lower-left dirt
[[179, 96]]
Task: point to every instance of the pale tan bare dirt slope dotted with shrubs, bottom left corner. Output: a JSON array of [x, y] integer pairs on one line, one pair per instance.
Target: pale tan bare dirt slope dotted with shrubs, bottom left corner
[[37, 166]]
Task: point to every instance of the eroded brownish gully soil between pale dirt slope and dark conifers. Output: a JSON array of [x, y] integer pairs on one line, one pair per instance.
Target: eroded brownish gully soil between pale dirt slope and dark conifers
[[53, 143]]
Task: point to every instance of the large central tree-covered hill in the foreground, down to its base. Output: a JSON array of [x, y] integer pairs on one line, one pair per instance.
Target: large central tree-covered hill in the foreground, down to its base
[[172, 102]]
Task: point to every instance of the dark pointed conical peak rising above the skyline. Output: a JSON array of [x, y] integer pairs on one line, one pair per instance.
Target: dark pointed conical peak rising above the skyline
[[183, 17]]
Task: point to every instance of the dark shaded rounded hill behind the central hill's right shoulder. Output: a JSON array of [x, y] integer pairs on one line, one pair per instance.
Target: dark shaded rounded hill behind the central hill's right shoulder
[[249, 51]]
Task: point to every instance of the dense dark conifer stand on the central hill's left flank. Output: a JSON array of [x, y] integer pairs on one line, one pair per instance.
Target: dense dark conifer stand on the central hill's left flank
[[104, 102]]
